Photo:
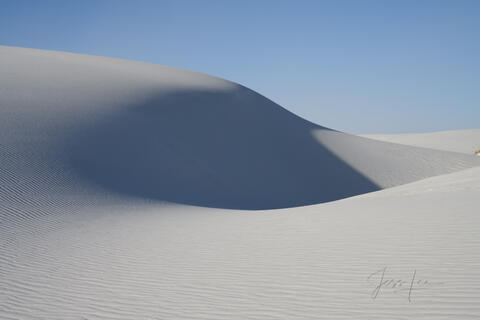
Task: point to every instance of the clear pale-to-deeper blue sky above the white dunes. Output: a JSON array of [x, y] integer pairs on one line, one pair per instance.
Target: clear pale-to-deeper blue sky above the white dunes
[[356, 66]]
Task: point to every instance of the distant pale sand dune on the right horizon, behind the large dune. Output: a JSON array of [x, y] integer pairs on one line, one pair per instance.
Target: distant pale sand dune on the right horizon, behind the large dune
[[463, 141]]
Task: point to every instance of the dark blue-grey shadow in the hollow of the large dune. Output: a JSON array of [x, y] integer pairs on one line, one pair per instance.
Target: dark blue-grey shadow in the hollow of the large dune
[[232, 149]]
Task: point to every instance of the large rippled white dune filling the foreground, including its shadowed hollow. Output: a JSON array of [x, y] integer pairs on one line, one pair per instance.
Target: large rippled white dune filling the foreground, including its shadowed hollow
[[118, 180]]
